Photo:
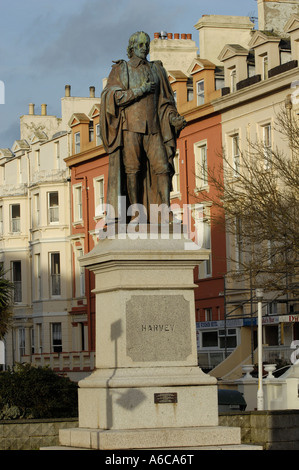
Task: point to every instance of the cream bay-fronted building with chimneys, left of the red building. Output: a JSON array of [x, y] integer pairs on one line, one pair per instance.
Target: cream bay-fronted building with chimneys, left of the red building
[[35, 243]]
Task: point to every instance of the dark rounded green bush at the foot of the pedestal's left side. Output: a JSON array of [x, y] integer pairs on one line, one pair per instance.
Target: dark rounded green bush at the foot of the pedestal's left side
[[36, 392]]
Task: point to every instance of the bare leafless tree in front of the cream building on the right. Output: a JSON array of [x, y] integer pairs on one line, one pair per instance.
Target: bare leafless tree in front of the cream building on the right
[[260, 202]]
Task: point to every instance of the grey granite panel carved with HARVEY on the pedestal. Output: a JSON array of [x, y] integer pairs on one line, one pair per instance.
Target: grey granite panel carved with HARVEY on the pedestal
[[158, 328]]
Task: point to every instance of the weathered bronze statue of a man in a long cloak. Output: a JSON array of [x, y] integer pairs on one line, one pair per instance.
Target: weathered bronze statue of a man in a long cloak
[[139, 128]]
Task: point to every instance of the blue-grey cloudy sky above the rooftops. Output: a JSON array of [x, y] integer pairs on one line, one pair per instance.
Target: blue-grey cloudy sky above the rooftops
[[47, 44]]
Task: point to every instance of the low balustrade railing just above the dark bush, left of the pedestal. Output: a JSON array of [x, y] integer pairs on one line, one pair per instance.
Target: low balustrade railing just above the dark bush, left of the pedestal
[[74, 361]]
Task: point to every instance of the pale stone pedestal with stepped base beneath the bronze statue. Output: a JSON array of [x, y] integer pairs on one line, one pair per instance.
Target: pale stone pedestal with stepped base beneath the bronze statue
[[146, 391]]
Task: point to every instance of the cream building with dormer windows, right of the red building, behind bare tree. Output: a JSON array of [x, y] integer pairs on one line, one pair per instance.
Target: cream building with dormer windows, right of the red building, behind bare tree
[[261, 79]]
